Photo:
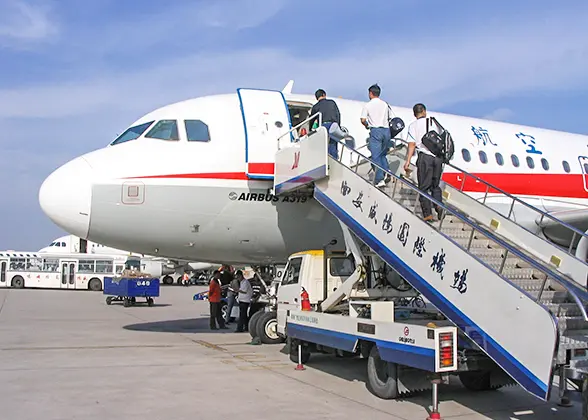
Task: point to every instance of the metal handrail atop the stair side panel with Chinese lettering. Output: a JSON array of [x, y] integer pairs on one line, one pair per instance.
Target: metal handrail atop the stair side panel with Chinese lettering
[[574, 290]]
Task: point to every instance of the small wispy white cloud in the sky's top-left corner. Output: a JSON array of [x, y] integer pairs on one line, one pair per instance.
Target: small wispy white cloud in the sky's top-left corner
[[20, 21]]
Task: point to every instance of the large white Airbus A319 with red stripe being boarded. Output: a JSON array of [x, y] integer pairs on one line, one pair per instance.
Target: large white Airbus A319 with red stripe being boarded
[[192, 180]]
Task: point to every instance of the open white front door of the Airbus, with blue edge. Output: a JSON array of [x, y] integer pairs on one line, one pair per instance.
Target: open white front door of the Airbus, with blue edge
[[265, 118]]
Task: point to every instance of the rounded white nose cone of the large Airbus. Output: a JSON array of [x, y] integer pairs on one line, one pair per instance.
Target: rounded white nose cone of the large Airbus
[[66, 197]]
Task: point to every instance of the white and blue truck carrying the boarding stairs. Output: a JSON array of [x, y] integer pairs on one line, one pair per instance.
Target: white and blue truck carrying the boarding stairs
[[410, 346]]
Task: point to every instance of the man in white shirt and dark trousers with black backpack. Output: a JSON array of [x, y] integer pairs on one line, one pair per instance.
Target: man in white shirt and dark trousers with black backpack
[[429, 166]]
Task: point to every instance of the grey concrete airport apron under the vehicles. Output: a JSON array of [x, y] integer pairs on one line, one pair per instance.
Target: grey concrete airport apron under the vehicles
[[67, 355]]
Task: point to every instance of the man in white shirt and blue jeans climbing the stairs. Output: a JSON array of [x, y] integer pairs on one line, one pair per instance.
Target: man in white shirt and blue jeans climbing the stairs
[[375, 116]]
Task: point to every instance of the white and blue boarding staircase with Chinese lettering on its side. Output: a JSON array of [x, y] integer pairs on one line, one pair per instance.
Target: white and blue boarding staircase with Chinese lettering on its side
[[521, 299]]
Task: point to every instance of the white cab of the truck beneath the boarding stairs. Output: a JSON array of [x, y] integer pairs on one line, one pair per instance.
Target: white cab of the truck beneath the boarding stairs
[[306, 271]]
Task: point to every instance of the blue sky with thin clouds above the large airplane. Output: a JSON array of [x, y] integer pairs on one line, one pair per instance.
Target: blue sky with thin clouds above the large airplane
[[75, 73]]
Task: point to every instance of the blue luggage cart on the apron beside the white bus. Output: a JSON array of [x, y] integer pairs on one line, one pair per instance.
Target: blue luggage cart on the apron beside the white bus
[[127, 289]]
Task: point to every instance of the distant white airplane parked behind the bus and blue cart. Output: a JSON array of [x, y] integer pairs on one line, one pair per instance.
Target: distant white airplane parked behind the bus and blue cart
[[73, 244]]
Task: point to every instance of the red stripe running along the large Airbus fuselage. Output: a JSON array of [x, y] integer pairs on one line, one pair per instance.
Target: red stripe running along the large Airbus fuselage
[[541, 185]]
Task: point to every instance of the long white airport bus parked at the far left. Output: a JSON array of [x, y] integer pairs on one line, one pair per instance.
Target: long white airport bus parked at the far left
[[57, 271]]
